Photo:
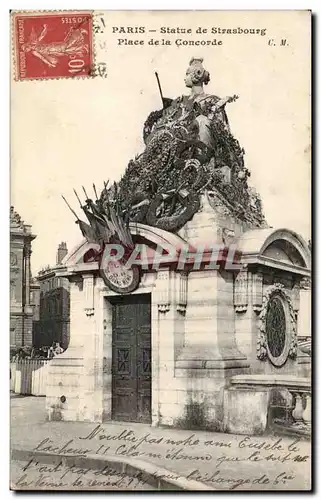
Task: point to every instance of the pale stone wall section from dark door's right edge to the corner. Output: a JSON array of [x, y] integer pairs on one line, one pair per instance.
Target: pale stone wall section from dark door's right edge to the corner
[[197, 352]]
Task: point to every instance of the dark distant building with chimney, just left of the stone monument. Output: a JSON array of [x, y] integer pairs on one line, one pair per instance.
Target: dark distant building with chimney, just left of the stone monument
[[54, 306]]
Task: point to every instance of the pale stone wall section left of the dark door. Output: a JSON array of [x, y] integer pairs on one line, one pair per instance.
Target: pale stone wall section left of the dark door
[[71, 381]]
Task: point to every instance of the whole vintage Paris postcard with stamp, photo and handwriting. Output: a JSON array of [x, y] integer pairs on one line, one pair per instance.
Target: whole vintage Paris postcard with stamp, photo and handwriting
[[160, 259]]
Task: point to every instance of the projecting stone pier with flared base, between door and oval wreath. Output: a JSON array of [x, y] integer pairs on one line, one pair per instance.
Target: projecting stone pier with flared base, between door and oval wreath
[[209, 326]]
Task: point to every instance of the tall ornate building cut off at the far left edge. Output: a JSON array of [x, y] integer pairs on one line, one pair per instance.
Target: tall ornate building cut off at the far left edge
[[21, 311]]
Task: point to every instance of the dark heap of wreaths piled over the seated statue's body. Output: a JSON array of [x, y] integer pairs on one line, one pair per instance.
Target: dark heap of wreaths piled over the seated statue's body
[[171, 157]]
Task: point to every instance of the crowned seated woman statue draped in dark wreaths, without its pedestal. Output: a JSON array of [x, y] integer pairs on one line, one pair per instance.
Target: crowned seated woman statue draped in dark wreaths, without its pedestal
[[186, 144]]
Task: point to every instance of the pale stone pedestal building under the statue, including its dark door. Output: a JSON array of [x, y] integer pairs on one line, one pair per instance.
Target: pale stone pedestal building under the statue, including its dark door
[[167, 352]]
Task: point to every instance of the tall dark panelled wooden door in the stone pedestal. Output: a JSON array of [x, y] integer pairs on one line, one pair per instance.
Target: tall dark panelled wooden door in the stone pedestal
[[131, 366]]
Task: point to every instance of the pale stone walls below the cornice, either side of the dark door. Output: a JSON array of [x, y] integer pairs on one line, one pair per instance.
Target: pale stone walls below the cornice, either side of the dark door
[[204, 329]]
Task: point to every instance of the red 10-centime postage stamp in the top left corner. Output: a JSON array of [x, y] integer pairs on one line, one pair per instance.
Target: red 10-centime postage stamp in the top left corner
[[53, 45]]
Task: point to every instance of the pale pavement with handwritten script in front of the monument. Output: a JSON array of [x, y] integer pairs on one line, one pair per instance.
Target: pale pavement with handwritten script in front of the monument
[[208, 459]]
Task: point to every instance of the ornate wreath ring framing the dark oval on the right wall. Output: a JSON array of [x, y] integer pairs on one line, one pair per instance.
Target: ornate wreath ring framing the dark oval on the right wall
[[290, 348]]
